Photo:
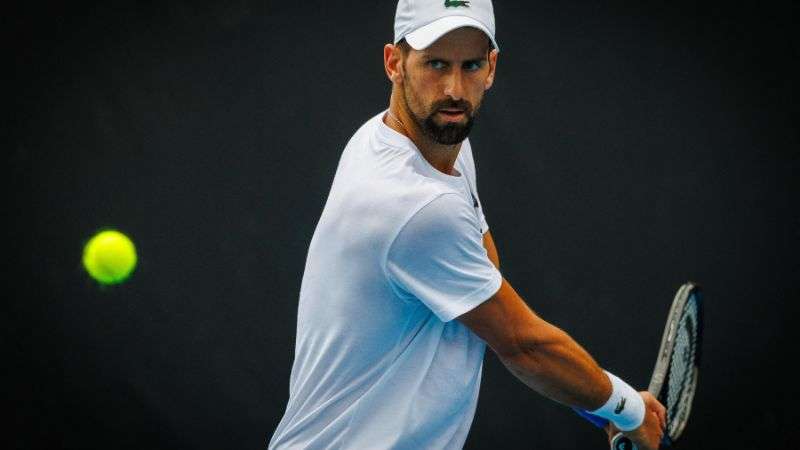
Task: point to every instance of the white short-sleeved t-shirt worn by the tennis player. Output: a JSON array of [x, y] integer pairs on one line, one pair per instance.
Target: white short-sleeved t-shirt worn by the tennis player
[[398, 254]]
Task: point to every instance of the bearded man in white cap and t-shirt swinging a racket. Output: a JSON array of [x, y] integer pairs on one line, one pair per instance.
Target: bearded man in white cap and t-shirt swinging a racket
[[401, 290]]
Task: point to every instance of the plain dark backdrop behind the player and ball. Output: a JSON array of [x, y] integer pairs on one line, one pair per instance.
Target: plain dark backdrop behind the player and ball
[[623, 149]]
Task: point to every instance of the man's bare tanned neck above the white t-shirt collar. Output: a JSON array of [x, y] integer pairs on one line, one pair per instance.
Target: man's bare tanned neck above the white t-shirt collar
[[441, 157]]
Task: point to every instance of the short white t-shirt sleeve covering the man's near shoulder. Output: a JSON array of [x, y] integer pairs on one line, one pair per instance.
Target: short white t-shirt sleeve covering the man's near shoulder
[[438, 257]]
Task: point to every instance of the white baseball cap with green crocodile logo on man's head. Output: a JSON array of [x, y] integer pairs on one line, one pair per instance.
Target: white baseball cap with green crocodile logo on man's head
[[422, 22]]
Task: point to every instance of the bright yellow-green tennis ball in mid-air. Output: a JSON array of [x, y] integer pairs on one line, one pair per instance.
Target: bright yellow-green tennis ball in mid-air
[[109, 257]]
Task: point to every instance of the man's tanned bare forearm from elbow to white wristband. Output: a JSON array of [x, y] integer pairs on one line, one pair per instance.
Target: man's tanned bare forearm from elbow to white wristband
[[554, 365]]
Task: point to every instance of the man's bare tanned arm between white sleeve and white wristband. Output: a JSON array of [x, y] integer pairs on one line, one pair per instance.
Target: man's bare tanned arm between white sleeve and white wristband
[[541, 355]]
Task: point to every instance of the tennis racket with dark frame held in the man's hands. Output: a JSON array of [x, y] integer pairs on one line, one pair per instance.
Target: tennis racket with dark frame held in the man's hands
[[675, 375]]
